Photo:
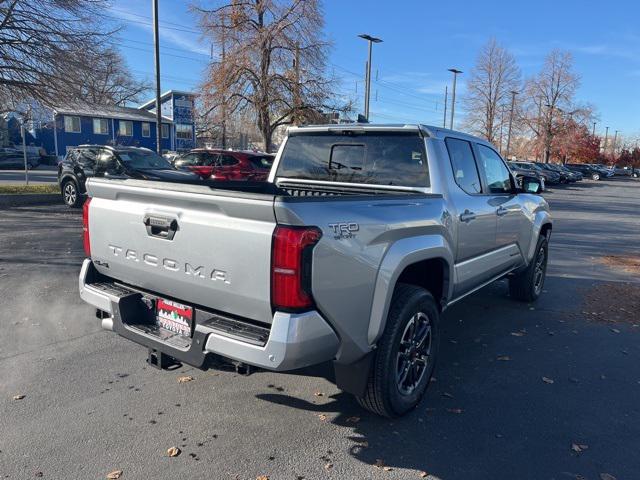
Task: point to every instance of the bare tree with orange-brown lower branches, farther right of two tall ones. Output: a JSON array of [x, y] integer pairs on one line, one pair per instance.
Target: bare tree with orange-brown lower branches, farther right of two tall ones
[[550, 93]]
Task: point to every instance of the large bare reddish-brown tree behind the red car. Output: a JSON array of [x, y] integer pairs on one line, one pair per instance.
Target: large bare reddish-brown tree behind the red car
[[274, 61]]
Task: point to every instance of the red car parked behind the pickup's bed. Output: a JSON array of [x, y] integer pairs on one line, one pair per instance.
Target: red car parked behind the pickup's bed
[[226, 164]]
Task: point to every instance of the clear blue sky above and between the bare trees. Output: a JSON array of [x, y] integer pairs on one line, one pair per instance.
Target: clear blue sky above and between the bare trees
[[421, 41]]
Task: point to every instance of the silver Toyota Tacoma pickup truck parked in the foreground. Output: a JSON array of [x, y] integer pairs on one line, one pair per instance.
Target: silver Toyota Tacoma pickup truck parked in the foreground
[[350, 252]]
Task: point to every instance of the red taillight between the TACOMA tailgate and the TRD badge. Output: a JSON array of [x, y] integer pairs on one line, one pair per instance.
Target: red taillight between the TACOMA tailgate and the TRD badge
[[291, 267]]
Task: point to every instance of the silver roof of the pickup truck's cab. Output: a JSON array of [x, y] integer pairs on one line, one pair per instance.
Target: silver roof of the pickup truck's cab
[[429, 130]]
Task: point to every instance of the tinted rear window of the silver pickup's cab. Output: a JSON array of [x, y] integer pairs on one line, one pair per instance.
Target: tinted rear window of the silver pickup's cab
[[383, 158]]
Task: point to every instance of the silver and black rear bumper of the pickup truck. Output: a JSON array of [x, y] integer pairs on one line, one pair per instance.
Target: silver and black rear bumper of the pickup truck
[[294, 340]]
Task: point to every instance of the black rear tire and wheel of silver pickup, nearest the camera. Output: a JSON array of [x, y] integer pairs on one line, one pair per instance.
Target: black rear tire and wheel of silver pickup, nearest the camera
[[403, 364]]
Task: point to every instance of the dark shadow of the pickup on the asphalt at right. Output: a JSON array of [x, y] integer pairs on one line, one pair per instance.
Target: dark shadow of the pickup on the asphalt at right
[[489, 413]]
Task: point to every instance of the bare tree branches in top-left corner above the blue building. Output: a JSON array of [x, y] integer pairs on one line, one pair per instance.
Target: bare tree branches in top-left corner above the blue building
[[41, 41]]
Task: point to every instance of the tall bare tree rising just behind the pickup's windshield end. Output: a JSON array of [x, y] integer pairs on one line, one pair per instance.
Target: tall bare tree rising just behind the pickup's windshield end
[[489, 88]]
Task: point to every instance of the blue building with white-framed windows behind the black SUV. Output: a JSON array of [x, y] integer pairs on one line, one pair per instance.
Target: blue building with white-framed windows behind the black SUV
[[113, 125]]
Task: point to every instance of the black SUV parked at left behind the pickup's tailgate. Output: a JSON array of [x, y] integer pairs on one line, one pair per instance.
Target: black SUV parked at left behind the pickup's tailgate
[[87, 161]]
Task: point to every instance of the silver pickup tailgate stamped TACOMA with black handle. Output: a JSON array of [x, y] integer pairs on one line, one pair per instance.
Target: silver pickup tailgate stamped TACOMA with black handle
[[187, 242]]
